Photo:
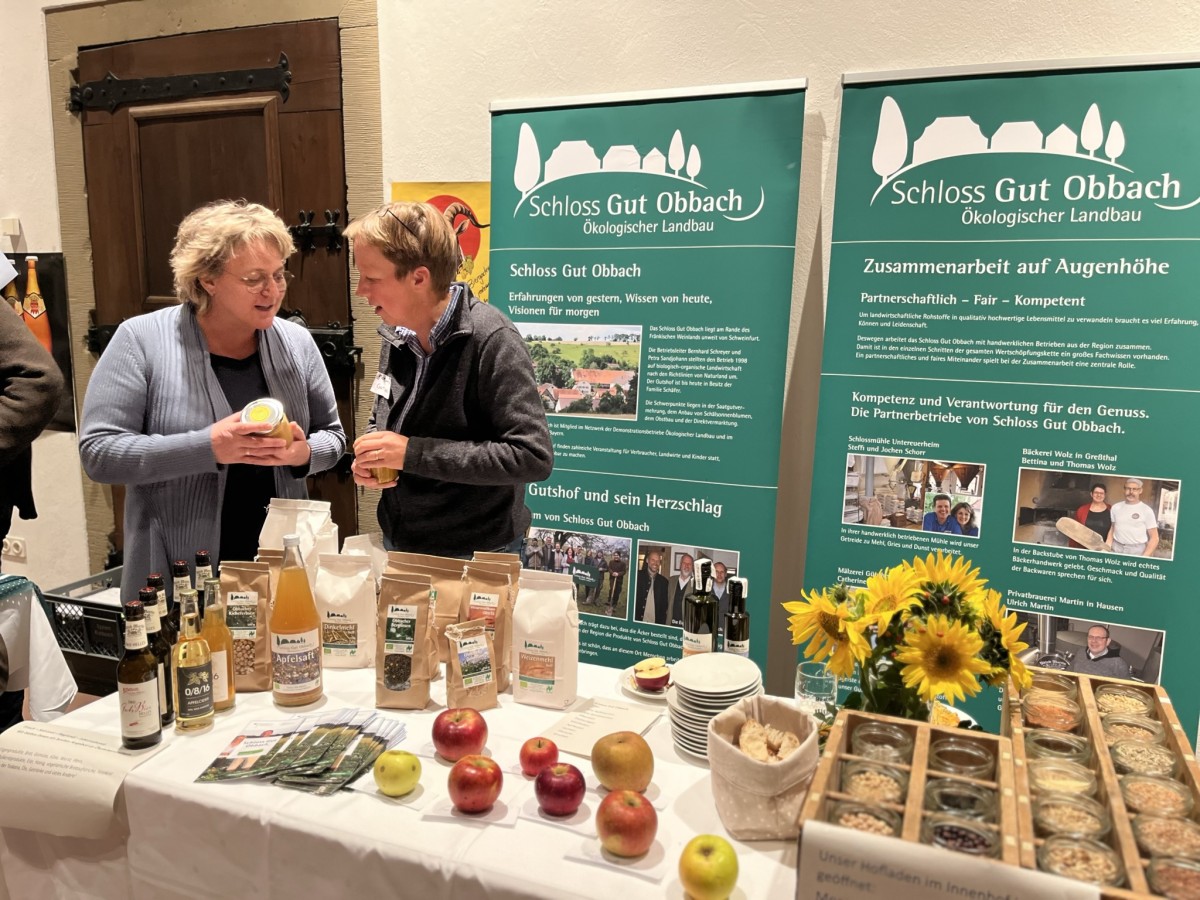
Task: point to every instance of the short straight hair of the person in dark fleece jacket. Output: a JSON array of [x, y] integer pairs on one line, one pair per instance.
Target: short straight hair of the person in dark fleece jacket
[[411, 236]]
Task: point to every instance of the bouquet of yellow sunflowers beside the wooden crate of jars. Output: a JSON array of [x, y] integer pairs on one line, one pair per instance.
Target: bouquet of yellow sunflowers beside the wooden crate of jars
[[920, 632]]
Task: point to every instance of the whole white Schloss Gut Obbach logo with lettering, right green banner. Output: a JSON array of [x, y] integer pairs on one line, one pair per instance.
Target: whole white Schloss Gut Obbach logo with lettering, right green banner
[[952, 136]]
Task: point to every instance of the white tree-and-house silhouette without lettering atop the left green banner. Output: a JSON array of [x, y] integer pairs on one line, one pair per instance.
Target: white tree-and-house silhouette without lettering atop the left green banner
[[682, 163]]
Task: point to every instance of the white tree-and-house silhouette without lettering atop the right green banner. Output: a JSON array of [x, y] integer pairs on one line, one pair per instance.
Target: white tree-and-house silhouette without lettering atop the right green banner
[[947, 137]]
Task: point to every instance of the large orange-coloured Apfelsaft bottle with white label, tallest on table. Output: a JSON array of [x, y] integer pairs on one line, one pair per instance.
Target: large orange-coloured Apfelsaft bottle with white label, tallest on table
[[296, 634]]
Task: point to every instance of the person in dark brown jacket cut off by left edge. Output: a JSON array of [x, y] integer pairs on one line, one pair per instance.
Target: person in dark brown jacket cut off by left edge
[[31, 388]]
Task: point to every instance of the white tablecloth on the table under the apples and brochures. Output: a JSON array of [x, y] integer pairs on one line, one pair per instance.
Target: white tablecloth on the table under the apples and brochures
[[250, 839]]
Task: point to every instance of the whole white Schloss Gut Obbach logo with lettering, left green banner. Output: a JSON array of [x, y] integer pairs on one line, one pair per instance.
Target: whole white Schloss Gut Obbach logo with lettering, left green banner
[[677, 208]]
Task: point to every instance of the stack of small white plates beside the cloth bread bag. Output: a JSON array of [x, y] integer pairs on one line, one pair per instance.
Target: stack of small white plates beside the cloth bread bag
[[703, 687]]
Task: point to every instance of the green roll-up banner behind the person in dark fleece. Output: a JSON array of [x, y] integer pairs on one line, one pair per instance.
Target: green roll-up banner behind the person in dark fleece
[[645, 249]]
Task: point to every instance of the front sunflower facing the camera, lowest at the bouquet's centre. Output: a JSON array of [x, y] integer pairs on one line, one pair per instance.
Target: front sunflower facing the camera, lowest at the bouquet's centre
[[943, 658]]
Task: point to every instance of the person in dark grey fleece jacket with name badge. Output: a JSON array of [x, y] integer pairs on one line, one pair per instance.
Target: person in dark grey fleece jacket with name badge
[[457, 410]]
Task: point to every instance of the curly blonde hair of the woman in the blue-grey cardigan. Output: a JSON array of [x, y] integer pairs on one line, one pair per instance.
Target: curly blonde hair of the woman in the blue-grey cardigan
[[209, 237]]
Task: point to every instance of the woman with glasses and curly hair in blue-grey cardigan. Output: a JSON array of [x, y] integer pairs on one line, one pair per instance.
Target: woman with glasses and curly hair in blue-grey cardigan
[[163, 415]]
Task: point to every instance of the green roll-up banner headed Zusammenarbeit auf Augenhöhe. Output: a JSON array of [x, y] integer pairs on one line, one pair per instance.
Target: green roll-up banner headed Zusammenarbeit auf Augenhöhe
[[1011, 353]]
